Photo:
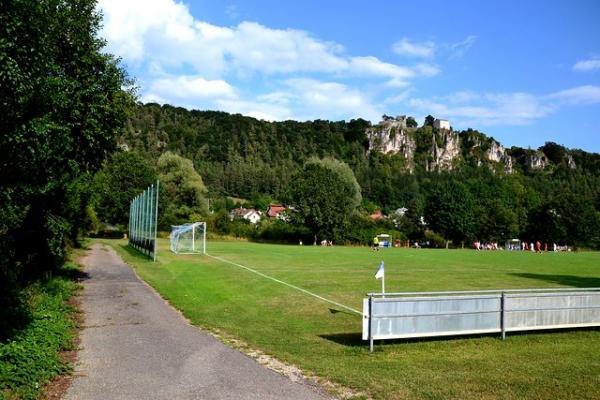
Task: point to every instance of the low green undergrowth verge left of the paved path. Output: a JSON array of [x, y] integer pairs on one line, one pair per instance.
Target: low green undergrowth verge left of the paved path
[[30, 359]]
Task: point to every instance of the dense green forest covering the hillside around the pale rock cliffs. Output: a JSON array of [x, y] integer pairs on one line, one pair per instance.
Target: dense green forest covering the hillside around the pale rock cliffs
[[242, 157]]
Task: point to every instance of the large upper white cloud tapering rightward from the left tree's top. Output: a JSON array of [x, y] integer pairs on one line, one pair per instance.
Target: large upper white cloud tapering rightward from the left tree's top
[[164, 32]]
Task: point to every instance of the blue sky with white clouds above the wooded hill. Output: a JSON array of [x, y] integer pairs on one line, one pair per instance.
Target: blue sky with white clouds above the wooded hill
[[523, 72]]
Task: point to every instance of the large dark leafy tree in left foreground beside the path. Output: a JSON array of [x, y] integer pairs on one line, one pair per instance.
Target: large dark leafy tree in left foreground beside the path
[[62, 105]]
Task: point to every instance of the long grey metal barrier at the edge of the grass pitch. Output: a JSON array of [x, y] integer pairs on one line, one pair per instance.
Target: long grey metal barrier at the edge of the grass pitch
[[426, 314]]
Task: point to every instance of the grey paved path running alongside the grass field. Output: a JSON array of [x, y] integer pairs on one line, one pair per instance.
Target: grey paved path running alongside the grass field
[[135, 346]]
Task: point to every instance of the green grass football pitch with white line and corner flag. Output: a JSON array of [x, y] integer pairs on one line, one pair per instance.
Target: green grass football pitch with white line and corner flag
[[325, 341]]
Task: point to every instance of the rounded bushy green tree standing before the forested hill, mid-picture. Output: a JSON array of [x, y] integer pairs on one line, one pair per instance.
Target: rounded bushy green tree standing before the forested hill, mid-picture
[[325, 194]]
